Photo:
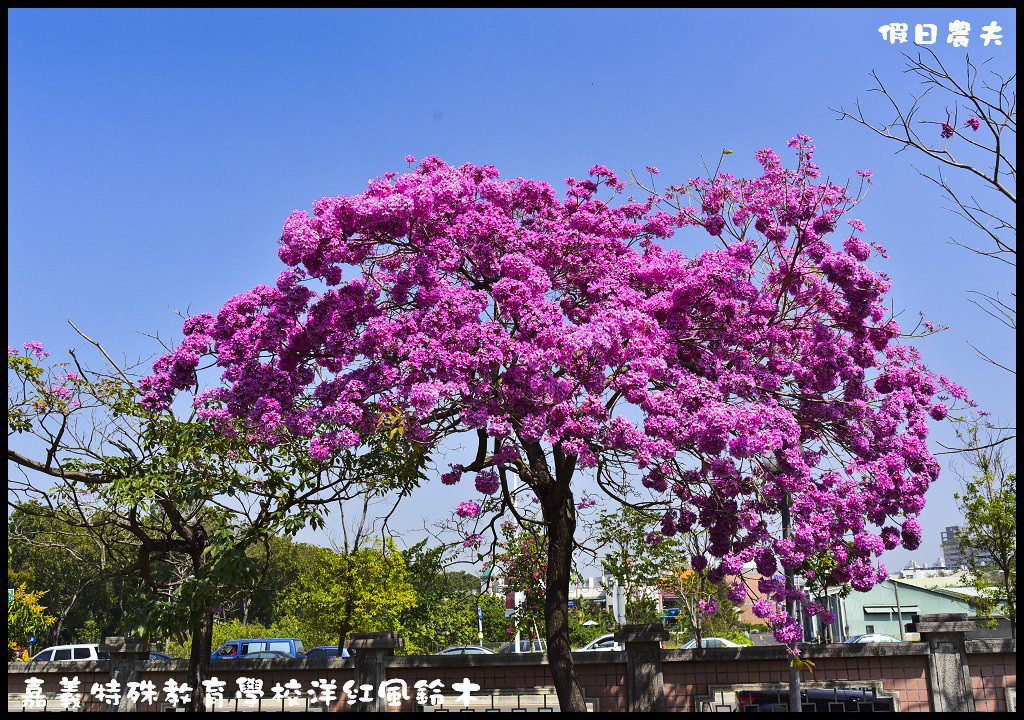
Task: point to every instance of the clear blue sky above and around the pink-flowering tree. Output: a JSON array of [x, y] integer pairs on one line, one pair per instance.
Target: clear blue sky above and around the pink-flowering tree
[[155, 155]]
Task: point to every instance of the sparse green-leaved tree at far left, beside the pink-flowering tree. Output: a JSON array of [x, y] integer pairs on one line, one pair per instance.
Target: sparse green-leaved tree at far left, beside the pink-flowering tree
[[178, 502]]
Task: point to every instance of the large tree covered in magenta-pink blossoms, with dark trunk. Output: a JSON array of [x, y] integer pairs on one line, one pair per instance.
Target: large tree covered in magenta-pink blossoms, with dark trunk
[[759, 377]]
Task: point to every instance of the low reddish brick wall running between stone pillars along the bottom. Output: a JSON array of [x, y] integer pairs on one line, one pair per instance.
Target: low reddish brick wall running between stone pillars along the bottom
[[902, 668]]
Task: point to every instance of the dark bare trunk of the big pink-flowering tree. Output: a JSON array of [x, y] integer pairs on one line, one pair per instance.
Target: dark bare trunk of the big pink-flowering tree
[[560, 516]]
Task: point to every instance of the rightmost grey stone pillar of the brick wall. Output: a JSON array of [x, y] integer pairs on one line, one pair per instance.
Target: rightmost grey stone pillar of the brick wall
[[949, 675]]
